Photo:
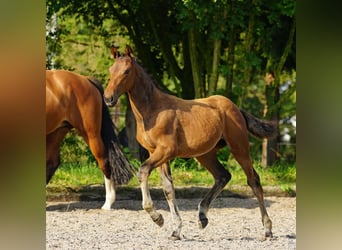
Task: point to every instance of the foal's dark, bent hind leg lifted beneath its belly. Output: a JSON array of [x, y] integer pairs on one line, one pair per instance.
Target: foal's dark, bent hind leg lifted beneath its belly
[[222, 177]]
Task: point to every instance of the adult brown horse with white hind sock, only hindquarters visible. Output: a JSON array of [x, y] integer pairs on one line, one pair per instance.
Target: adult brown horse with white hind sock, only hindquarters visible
[[75, 101]]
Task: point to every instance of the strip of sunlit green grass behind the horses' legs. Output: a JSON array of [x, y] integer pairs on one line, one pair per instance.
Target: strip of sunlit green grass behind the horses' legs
[[184, 173]]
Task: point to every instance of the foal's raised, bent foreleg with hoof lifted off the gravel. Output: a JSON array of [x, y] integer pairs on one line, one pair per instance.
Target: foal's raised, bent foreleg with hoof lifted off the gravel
[[147, 203]]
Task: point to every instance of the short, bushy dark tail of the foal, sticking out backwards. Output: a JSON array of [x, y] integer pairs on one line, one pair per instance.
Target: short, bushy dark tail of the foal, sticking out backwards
[[258, 127]]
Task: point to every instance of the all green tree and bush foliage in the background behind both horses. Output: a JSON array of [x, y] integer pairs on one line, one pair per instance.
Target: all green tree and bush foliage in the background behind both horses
[[253, 34]]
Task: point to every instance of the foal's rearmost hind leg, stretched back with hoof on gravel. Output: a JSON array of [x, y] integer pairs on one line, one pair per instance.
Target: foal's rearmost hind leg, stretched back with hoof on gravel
[[253, 180]]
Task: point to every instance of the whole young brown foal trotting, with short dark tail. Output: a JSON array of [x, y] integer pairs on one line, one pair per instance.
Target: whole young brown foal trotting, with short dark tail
[[170, 127]]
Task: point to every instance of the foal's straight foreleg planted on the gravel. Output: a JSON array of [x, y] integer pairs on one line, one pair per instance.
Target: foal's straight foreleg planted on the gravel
[[169, 193]]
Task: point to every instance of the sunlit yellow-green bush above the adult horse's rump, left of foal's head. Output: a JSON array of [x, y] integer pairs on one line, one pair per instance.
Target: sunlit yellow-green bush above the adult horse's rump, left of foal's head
[[78, 44]]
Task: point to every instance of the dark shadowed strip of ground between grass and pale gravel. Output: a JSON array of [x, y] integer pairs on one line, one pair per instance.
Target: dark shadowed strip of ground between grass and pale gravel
[[92, 197]]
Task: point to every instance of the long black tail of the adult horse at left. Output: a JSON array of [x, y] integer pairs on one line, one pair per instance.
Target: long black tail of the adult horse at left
[[121, 170]]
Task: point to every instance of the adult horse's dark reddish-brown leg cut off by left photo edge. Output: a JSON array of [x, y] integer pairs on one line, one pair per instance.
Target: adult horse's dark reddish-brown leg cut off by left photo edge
[[53, 141]]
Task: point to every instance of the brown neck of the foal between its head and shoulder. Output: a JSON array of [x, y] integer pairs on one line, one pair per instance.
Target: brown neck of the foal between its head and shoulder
[[143, 93]]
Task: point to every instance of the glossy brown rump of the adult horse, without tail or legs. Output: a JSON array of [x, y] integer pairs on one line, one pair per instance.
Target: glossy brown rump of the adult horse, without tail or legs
[[71, 97]]
